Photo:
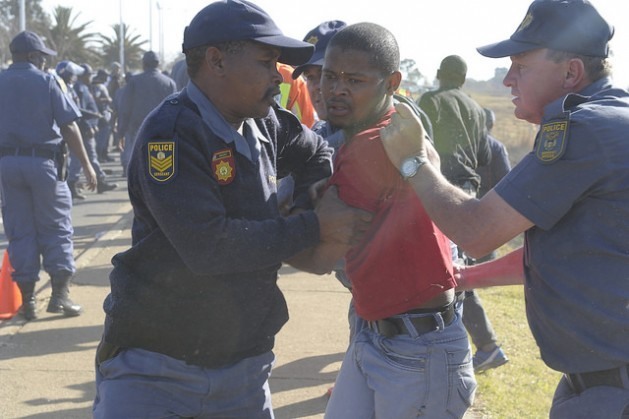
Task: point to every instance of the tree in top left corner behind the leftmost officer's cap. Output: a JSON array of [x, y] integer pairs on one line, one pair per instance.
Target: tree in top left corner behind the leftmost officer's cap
[[36, 21]]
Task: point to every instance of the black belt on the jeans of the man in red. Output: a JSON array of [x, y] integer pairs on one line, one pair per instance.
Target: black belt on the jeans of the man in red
[[393, 326]]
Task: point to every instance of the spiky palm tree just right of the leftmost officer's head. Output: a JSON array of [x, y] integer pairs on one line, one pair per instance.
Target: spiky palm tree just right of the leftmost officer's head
[[72, 42]]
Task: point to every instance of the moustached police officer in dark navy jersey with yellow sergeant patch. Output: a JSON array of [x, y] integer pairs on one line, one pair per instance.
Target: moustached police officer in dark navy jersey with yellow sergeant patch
[[194, 303]]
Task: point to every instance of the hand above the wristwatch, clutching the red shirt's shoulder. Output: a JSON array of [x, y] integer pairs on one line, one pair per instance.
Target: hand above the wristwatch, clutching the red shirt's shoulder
[[404, 136]]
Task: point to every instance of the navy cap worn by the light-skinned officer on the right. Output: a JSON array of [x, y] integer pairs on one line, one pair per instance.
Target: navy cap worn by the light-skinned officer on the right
[[564, 25]]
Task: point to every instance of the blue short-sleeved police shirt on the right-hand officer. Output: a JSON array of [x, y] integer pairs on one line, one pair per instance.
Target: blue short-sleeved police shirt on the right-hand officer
[[575, 188]]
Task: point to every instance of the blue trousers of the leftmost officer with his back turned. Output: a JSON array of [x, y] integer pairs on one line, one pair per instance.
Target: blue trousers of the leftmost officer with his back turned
[[36, 209]]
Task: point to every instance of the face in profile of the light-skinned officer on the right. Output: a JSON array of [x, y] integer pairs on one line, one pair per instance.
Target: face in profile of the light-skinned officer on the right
[[535, 81]]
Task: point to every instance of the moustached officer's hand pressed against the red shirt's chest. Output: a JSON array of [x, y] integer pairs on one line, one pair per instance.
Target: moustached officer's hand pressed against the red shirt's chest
[[340, 224]]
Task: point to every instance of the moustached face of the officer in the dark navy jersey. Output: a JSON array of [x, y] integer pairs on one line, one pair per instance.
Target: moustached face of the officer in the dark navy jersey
[[251, 82]]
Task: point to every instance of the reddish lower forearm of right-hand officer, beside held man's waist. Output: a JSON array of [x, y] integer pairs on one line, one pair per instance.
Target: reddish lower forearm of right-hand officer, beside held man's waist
[[507, 270]]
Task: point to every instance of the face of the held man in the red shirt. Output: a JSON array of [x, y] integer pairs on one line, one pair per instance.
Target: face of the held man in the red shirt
[[355, 93]]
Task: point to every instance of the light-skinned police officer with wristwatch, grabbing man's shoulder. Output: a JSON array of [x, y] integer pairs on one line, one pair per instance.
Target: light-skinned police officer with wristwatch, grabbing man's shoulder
[[570, 196]]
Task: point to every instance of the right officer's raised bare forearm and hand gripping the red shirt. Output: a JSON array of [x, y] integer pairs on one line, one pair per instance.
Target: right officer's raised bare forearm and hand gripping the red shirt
[[477, 226]]
